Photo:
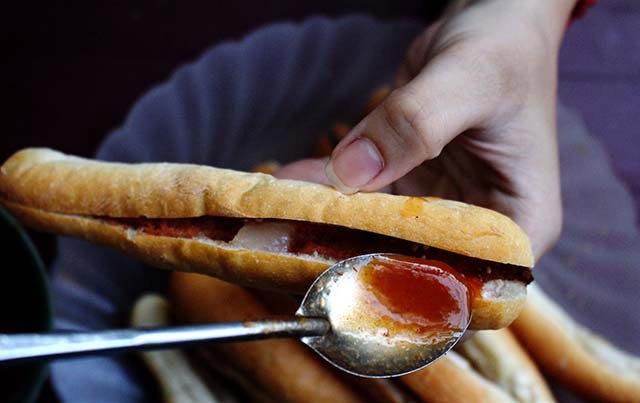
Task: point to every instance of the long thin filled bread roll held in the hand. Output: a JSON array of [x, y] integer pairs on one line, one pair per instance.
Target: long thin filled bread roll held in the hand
[[116, 204]]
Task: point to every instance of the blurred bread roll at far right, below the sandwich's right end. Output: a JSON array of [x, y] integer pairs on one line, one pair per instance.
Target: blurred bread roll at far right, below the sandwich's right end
[[573, 355]]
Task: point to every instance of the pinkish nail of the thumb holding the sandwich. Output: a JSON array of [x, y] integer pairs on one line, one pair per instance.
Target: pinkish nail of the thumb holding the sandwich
[[354, 166]]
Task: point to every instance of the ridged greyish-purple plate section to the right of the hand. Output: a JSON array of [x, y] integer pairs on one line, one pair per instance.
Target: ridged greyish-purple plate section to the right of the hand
[[593, 270]]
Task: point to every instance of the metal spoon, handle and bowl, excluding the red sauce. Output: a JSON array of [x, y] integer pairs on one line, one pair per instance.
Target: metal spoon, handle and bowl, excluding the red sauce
[[316, 324]]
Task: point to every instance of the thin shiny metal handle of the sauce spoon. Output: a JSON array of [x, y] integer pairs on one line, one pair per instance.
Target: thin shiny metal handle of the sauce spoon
[[21, 347]]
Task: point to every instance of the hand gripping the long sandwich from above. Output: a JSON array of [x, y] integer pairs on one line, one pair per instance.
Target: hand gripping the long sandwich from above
[[472, 118]]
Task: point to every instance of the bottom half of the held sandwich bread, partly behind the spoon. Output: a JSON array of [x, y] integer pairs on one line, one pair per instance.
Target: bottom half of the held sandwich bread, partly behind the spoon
[[259, 269]]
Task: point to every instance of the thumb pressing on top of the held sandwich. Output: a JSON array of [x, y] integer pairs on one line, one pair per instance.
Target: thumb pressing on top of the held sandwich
[[412, 125]]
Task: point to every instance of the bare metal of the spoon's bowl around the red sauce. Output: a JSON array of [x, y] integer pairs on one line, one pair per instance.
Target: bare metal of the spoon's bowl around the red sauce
[[353, 347]]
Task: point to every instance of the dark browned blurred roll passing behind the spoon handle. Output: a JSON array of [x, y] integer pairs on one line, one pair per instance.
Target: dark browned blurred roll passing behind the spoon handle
[[285, 368]]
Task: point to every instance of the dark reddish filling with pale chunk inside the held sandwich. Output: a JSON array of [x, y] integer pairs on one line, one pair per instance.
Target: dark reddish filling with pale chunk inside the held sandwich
[[329, 242]]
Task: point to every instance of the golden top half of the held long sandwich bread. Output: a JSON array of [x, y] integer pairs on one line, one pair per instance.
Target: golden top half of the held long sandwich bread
[[52, 181]]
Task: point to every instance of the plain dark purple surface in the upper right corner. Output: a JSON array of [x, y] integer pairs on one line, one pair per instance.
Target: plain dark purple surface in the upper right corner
[[600, 78]]
